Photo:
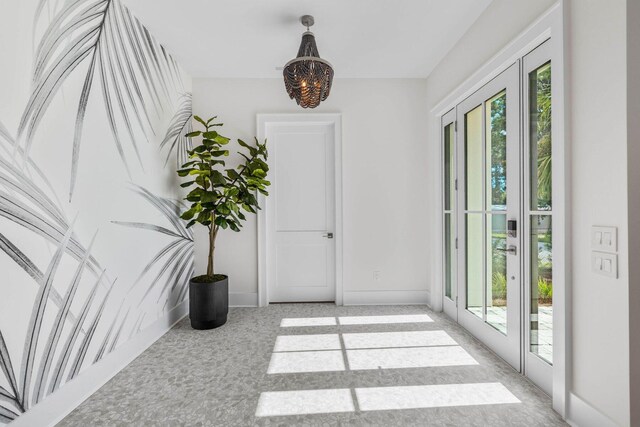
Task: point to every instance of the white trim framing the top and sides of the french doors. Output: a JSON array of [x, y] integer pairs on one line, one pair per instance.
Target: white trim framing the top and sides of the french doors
[[552, 24]]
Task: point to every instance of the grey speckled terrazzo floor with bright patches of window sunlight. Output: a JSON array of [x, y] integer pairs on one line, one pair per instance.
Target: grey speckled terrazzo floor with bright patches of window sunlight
[[321, 365]]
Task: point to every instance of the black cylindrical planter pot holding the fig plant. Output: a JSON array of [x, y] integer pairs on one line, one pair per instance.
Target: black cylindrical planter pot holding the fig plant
[[208, 303]]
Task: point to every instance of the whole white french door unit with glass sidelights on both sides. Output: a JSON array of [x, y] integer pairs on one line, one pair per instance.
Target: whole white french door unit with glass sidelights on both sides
[[497, 216]]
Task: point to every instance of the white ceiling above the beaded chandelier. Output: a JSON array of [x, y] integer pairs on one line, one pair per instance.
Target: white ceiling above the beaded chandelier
[[361, 38]]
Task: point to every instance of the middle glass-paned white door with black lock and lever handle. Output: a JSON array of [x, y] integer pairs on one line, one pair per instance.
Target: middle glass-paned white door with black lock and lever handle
[[488, 146]]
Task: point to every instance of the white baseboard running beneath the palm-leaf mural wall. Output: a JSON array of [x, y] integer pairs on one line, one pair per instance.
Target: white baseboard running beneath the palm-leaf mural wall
[[59, 404]]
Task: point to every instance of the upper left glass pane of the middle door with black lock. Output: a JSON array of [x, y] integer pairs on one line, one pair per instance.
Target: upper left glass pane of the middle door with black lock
[[473, 159]]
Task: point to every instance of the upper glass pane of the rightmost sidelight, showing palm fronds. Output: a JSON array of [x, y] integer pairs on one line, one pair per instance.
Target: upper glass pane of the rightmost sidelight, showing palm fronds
[[540, 135]]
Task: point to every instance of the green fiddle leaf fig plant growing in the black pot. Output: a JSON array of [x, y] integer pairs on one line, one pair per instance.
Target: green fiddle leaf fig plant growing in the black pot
[[221, 196]]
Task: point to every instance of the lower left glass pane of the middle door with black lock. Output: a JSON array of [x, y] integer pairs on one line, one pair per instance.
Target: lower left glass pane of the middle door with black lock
[[474, 263]]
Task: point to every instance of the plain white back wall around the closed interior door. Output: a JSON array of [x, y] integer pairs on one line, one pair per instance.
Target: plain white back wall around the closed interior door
[[384, 177]]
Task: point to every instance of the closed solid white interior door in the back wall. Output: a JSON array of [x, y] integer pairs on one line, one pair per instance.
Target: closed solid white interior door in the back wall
[[301, 212]]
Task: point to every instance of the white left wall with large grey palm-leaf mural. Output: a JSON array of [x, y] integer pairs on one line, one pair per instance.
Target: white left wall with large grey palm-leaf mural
[[36, 211]]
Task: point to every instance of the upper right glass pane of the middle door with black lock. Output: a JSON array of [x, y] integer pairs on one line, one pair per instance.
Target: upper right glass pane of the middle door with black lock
[[496, 128]]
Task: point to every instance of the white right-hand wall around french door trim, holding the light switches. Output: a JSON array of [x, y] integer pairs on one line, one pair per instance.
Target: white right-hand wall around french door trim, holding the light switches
[[597, 85]]
